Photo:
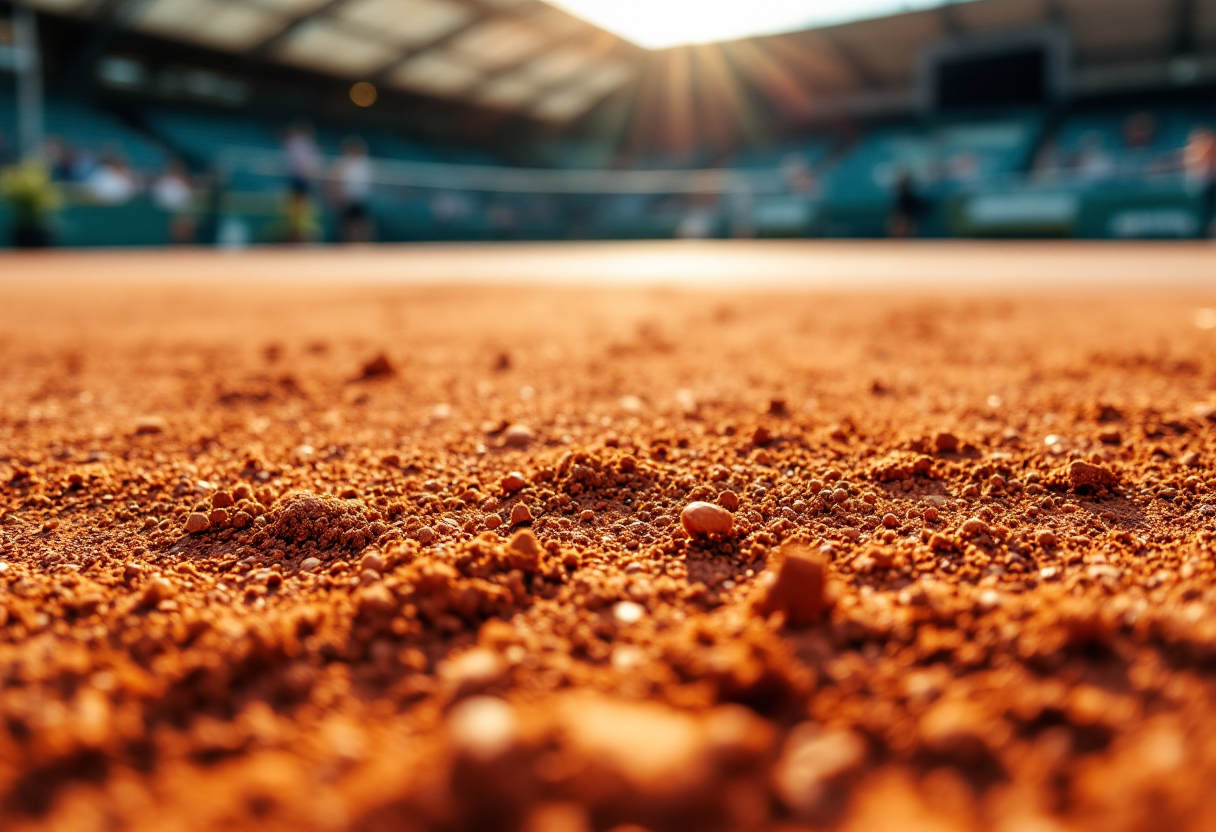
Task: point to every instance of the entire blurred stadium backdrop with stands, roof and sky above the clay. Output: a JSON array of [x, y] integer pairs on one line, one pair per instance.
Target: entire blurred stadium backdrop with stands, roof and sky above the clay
[[246, 122]]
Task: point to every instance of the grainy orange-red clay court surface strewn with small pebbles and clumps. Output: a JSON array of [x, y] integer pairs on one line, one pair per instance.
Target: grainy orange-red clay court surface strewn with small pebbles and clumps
[[397, 538]]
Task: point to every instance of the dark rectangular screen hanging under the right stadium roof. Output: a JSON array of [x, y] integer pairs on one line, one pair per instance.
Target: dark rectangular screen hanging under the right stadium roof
[[993, 81]]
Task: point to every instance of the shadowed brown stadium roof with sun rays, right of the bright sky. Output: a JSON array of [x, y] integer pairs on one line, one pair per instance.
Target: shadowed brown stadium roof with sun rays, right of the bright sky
[[871, 66]]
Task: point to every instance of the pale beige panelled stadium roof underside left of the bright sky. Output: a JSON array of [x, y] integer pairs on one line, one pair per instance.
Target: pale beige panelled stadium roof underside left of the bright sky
[[515, 55]]
